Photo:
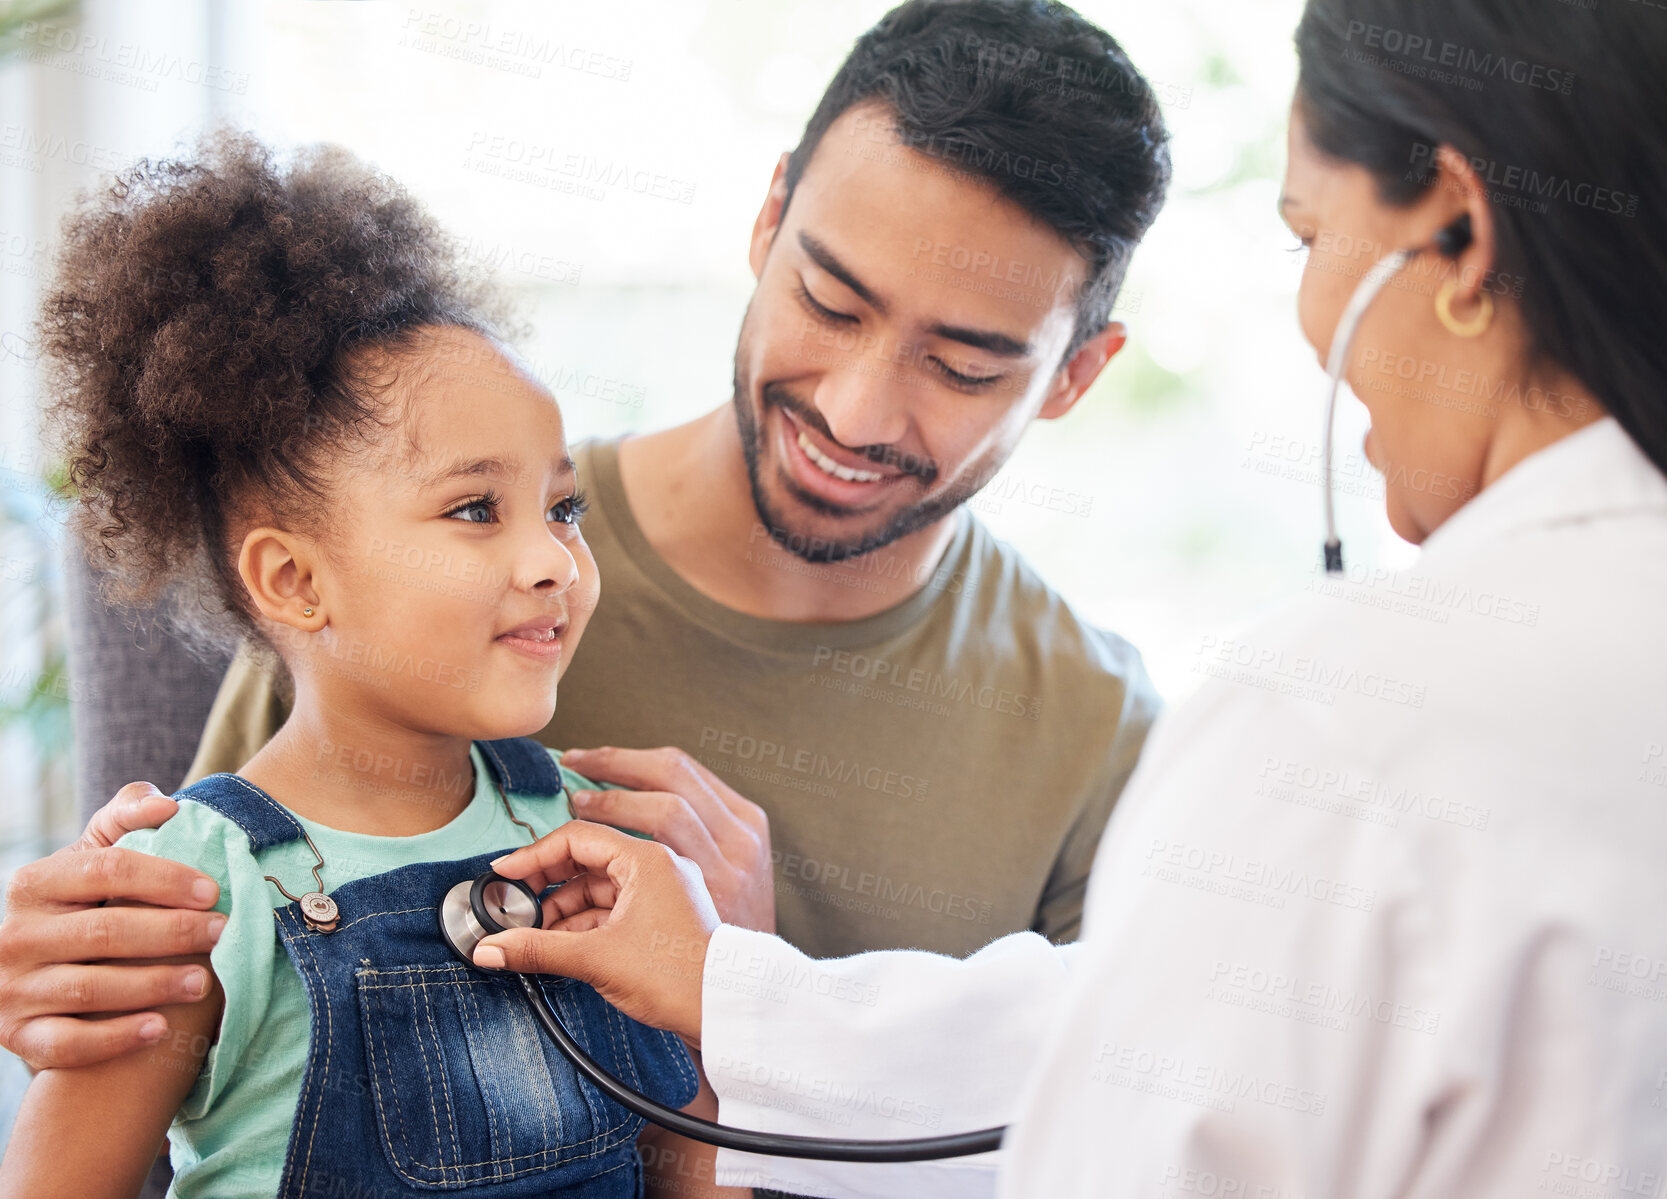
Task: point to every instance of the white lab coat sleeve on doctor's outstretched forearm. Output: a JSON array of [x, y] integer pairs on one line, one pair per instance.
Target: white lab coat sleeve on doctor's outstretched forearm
[[881, 1046]]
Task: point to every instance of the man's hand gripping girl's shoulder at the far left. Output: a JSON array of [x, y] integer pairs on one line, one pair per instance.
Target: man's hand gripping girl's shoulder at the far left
[[56, 941]]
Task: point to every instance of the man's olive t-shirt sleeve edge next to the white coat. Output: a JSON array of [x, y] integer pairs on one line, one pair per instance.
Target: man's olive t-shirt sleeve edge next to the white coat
[[1059, 913]]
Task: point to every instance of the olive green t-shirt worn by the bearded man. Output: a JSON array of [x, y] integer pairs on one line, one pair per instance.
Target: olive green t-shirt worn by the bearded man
[[936, 776]]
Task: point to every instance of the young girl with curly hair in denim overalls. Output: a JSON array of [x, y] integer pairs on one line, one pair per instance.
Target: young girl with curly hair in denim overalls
[[281, 396]]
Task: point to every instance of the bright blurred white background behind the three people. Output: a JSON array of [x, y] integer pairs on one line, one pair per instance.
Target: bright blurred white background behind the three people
[[1189, 476]]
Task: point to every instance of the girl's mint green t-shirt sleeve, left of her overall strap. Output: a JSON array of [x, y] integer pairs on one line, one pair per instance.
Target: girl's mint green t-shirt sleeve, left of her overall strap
[[244, 956]]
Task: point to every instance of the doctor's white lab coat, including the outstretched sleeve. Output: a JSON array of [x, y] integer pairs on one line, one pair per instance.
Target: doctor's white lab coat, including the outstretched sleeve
[[1383, 911]]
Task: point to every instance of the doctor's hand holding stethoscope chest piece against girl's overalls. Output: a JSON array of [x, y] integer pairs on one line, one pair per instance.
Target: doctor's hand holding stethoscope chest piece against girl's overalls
[[631, 918]]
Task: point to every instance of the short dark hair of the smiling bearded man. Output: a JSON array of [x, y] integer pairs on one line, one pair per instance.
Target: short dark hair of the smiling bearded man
[[1024, 96]]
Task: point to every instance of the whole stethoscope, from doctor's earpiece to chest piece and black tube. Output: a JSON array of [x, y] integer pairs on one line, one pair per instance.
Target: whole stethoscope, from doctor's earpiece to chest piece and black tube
[[476, 910]]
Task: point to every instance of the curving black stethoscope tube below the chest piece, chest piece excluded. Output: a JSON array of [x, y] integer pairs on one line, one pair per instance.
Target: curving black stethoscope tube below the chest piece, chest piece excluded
[[723, 1136]]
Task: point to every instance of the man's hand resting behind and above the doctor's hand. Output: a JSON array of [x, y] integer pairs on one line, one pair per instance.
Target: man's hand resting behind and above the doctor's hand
[[691, 811]]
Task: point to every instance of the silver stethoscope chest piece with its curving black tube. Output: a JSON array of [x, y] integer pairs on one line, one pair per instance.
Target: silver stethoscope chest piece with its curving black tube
[[476, 910]]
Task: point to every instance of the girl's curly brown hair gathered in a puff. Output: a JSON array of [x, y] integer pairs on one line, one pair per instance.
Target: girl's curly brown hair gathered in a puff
[[204, 339]]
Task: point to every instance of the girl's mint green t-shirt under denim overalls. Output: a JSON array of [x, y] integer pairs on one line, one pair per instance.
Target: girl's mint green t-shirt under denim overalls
[[231, 1135]]
